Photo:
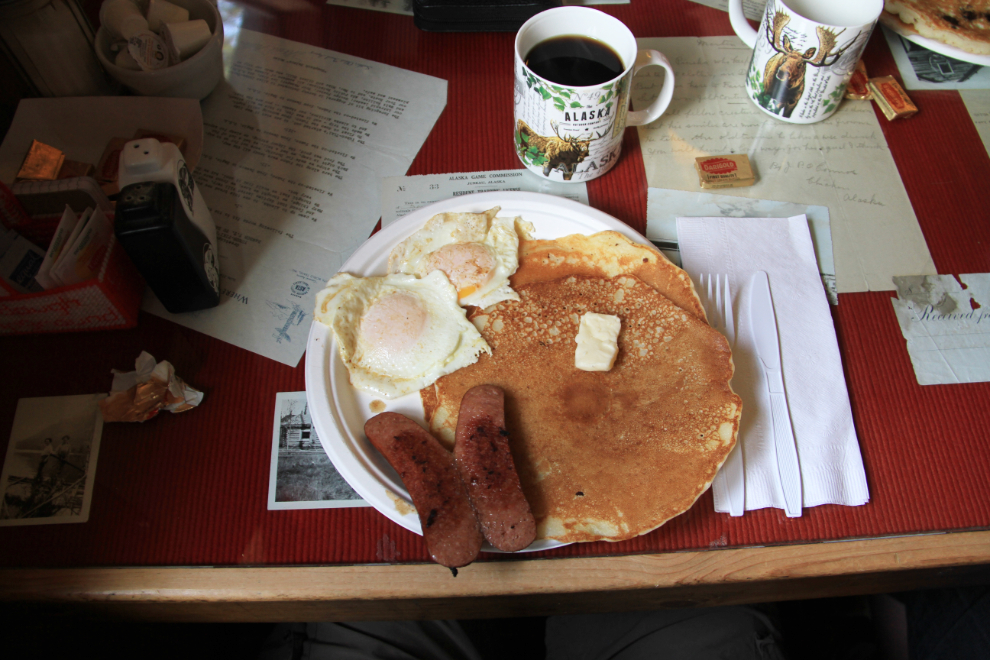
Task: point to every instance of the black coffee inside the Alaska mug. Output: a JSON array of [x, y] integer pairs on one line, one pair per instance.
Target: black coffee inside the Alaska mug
[[574, 61]]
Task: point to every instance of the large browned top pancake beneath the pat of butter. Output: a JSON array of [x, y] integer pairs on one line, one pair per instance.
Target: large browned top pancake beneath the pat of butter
[[602, 455]]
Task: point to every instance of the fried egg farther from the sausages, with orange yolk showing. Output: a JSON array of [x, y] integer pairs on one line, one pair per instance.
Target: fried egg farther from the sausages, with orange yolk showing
[[476, 251]]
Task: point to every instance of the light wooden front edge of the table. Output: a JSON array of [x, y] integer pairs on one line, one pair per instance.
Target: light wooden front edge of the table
[[505, 588]]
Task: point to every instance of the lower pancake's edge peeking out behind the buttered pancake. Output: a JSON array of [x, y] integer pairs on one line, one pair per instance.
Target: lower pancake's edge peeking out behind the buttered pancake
[[605, 254]]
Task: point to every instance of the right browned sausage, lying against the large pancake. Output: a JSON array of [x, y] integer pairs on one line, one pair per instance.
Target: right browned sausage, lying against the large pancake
[[483, 457]]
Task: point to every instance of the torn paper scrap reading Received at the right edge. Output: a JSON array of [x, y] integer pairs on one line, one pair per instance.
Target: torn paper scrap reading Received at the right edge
[[946, 322]]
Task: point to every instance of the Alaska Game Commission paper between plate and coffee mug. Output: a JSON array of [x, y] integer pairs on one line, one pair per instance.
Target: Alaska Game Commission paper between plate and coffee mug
[[403, 194]]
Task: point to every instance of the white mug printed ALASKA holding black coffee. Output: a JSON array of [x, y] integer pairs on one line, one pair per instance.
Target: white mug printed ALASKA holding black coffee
[[574, 133]]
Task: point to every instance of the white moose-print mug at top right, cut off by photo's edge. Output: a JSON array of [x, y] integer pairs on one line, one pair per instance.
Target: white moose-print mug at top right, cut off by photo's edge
[[804, 54]]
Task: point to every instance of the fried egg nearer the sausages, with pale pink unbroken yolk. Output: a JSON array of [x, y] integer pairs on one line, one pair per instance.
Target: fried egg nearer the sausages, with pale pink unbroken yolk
[[398, 333]]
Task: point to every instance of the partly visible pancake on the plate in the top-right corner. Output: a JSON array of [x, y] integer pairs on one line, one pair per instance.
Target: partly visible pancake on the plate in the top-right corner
[[964, 24]]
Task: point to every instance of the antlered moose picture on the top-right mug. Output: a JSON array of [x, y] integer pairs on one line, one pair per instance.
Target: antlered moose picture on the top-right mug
[[783, 75]]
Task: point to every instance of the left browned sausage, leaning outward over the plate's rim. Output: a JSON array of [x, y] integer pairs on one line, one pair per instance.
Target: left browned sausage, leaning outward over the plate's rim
[[450, 527]]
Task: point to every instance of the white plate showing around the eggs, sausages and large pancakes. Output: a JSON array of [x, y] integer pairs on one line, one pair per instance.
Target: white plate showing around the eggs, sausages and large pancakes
[[339, 411]]
